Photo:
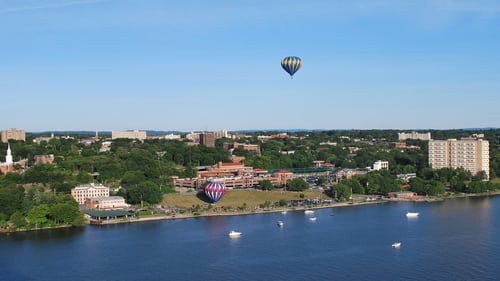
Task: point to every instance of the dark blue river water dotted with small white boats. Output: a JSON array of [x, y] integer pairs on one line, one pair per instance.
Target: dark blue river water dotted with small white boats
[[455, 239]]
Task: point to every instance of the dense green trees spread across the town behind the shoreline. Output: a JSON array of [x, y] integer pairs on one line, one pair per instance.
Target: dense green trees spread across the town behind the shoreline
[[141, 171]]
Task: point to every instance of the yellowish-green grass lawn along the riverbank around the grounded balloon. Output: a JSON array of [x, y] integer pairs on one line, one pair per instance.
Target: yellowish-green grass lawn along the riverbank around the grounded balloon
[[236, 198]]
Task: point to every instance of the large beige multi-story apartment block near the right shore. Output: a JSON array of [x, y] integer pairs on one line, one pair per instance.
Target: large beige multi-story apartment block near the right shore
[[471, 154]]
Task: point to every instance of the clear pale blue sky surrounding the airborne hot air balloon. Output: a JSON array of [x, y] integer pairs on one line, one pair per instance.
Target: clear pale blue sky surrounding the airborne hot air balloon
[[209, 65]]
